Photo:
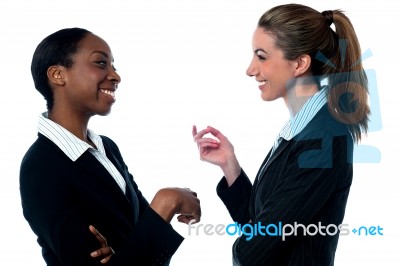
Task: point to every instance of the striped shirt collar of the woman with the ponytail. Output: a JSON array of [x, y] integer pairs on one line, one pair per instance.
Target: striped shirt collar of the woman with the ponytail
[[297, 123]]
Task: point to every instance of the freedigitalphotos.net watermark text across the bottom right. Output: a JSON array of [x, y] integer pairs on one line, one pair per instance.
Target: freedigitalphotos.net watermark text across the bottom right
[[281, 230]]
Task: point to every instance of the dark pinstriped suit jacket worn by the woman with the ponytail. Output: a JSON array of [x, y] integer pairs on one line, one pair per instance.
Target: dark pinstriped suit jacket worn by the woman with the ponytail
[[306, 181]]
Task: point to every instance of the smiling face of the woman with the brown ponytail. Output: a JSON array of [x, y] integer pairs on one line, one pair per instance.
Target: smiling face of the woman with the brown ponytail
[[269, 67]]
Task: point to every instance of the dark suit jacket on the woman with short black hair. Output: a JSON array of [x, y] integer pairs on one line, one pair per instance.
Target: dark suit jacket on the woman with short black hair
[[61, 198]]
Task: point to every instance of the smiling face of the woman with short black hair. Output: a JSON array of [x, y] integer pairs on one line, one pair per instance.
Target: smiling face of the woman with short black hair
[[88, 86]]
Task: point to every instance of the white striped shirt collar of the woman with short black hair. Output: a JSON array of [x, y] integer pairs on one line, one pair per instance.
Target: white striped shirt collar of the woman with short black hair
[[74, 147]]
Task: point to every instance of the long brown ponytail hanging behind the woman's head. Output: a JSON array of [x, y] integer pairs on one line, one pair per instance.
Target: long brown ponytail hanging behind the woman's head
[[348, 95]]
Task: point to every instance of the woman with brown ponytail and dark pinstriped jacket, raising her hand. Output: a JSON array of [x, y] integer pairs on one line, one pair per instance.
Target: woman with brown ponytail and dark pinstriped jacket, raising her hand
[[306, 176]]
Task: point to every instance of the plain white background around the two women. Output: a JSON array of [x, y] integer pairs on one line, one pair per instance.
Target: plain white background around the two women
[[183, 63]]
